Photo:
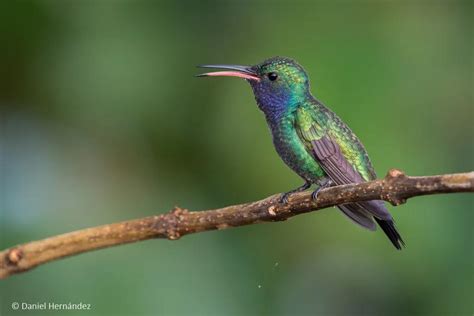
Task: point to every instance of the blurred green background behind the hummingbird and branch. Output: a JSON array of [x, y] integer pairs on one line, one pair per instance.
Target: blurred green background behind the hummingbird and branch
[[103, 121]]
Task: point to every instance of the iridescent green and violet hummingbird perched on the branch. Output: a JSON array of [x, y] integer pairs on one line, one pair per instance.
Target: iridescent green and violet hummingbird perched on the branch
[[310, 138]]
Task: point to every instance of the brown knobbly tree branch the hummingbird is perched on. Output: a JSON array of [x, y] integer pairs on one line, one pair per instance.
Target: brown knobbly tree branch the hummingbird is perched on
[[395, 188]]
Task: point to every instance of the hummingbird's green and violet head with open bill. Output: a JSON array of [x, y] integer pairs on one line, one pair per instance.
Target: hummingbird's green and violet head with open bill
[[278, 83]]
